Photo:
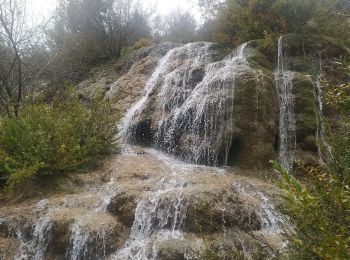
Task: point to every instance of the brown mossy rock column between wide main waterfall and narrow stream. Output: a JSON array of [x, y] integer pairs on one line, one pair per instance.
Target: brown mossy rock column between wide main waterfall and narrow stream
[[254, 118]]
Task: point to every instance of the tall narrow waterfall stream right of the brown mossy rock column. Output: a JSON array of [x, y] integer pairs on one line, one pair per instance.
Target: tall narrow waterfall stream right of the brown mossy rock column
[[286, 126]]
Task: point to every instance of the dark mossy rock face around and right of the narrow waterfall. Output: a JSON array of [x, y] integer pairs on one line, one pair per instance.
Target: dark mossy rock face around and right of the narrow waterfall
[[308, 59]]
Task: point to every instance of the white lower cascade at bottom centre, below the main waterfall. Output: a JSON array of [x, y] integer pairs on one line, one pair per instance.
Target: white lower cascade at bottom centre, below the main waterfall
[[158, 216]]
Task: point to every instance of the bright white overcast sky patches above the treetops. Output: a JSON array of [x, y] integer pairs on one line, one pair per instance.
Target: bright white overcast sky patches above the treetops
[[43, 7]]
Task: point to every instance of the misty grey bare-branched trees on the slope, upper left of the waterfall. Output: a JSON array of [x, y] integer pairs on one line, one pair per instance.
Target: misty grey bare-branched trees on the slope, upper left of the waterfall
[[102, 27]]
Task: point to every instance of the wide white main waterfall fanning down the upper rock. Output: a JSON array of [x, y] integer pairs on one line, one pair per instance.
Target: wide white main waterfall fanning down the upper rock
[[195, 101]]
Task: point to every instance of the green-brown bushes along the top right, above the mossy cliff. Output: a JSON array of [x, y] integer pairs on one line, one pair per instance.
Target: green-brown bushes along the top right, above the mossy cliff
[[238, 21]]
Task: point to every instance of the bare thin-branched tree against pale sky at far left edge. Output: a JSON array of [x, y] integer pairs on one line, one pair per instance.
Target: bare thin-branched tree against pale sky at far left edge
[[16, 39]]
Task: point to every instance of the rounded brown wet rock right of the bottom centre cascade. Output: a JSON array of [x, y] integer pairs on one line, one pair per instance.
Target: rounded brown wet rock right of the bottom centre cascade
[[213, 210]]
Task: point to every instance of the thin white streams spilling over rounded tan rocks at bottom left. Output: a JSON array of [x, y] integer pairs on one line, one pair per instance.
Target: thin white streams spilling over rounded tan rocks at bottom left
[[84, 242]]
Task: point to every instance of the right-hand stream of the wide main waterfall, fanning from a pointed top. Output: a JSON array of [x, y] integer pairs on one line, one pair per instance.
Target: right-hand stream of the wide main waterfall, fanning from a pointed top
[[203, 111]]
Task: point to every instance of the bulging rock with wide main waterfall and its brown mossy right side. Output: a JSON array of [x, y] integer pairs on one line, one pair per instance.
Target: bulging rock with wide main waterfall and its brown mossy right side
[[206, 111]]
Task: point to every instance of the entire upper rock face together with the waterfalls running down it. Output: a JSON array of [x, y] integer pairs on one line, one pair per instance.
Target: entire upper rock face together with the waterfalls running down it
[[210, 110]]
